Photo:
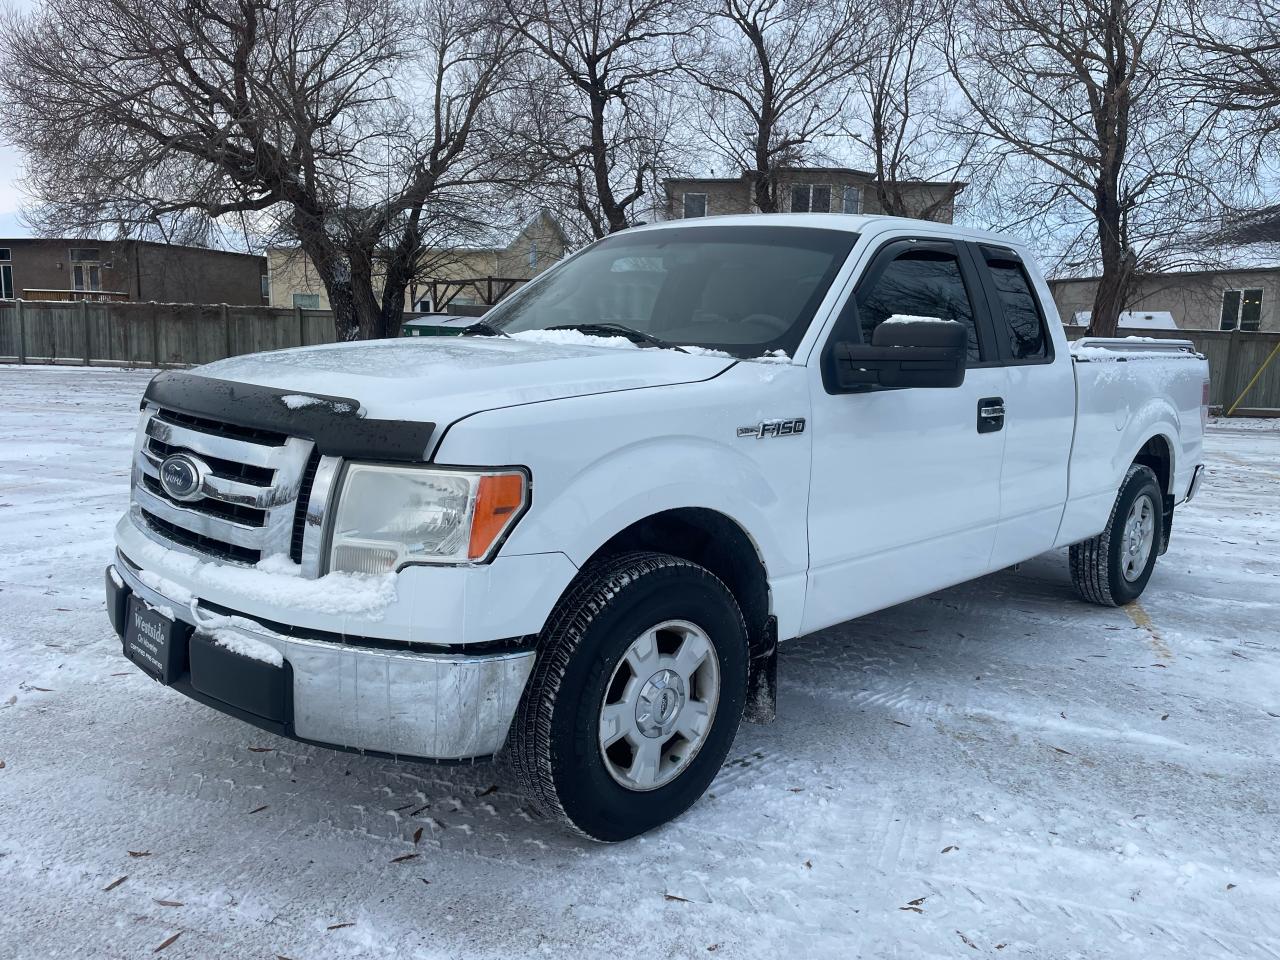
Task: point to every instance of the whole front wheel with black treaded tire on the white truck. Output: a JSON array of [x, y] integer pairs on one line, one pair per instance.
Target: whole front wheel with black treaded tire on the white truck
[[584, 676]]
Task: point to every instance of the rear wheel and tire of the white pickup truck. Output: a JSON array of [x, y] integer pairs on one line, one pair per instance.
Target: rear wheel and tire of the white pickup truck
[[1110, 569]]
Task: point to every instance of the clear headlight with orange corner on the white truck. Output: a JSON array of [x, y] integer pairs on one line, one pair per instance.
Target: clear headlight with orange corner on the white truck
[[391, 516]]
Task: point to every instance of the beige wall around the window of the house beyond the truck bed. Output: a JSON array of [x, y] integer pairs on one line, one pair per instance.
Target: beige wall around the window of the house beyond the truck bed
[[1194, 299]]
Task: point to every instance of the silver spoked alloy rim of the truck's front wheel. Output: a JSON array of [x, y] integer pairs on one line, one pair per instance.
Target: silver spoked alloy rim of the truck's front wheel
[[660, 706]]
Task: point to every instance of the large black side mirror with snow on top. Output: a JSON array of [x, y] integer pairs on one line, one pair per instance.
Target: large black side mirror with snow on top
[[906, 351]]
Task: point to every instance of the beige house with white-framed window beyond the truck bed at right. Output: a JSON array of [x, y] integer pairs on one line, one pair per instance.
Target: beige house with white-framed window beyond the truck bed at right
[[1199, 300]]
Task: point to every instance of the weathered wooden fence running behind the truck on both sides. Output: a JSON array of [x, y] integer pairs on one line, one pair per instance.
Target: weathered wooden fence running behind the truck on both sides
[[185, 335]]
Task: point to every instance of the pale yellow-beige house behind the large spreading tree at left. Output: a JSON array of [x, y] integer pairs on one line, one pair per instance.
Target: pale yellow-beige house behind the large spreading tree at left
[[455, 277]]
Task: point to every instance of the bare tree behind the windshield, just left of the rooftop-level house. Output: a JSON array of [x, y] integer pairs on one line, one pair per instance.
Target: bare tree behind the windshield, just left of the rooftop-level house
[[588, 113]]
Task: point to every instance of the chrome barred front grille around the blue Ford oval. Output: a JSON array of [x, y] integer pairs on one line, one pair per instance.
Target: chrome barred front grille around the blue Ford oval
[[250, 496]]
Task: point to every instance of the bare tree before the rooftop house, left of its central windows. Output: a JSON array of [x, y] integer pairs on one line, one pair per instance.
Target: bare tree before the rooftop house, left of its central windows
[[780, 76]]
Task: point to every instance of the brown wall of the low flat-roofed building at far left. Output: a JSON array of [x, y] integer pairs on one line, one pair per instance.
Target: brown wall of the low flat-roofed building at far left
[[139, 272]]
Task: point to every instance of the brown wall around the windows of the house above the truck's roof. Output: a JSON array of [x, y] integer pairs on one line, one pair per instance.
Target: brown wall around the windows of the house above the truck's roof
[[734, 196]]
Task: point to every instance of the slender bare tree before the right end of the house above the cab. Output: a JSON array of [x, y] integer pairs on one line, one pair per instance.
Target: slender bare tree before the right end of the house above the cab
[[897, 113]]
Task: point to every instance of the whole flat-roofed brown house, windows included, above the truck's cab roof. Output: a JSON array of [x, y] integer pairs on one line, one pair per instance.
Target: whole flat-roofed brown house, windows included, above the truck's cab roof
[[811, 190]]
